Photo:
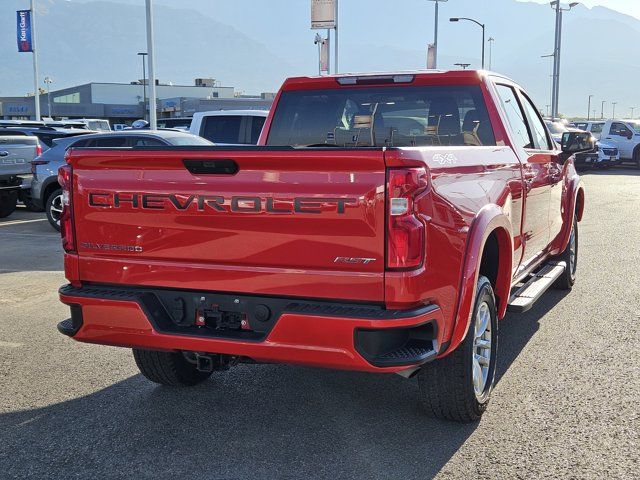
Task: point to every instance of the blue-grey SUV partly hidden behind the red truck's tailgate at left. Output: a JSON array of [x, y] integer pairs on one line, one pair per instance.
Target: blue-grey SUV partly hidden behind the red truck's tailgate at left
[[45, 189]]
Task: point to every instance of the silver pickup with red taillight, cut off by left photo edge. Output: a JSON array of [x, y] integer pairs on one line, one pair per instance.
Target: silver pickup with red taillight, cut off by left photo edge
[[16, 155]]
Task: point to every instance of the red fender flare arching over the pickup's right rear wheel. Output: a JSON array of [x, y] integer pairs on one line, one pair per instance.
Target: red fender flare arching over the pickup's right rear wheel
[[490, 219]]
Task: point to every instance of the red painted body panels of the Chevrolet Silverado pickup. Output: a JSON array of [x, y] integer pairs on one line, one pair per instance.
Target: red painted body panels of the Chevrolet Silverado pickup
[[484, 191]]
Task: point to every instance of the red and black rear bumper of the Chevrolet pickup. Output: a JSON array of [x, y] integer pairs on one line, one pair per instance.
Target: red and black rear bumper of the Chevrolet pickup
[[339, 336]]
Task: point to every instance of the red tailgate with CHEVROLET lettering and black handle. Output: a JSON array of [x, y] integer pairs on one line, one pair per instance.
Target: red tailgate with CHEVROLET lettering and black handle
[[307, 223]]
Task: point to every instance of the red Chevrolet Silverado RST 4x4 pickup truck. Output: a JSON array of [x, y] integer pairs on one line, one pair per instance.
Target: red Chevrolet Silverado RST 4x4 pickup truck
[[384, 223]]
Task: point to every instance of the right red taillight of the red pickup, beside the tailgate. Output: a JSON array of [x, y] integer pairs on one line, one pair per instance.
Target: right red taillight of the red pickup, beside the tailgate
[[405, 230]]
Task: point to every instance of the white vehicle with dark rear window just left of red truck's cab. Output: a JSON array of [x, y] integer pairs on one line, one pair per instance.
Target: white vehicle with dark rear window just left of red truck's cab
[[229, 127]]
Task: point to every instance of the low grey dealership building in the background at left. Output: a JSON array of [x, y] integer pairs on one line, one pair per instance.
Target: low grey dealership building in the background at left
[[125, 102]]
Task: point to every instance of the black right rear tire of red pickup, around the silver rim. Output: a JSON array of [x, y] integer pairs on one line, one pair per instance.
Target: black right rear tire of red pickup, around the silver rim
[[446, 386]]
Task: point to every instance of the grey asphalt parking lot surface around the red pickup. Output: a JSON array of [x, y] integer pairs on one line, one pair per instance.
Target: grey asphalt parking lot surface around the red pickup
[[565, 404]]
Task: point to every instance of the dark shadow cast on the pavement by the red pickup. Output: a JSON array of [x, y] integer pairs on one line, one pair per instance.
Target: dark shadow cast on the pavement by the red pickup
[[265, 421]]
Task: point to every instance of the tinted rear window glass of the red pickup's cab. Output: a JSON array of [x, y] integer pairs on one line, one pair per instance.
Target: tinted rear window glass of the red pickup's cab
[[382, 116]]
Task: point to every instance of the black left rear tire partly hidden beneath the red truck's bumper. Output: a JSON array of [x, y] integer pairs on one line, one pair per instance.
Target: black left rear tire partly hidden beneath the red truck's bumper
[[168, 368]]
